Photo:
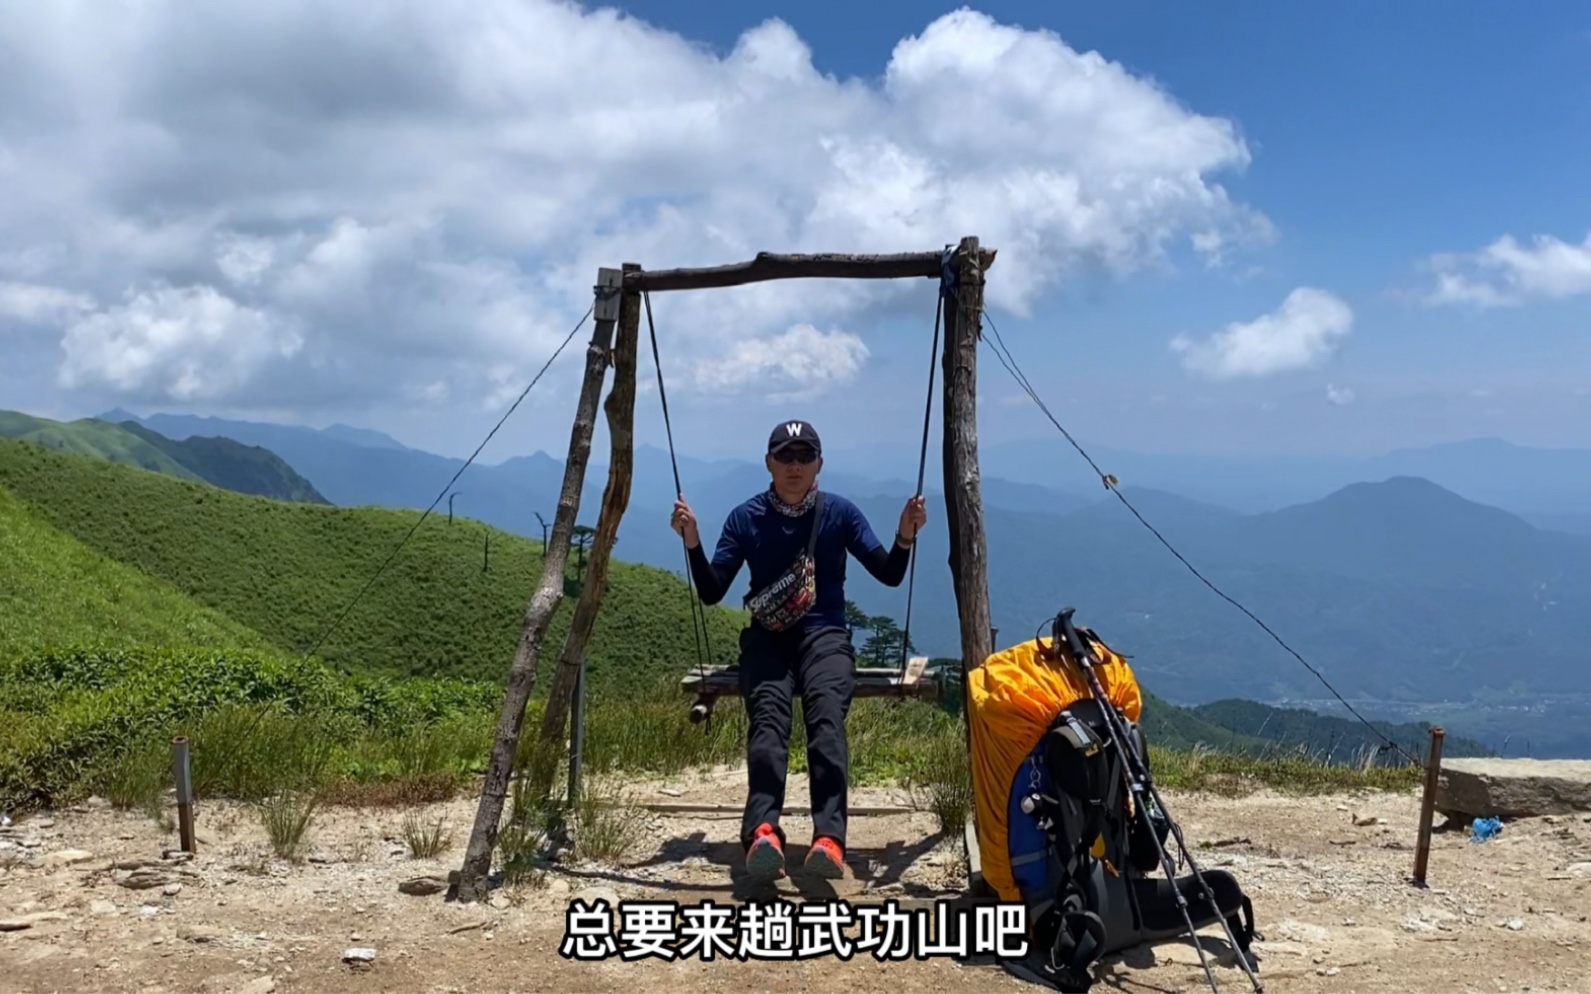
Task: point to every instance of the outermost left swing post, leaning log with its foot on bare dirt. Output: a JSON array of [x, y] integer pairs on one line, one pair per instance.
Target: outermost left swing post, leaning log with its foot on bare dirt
[[543, 604]]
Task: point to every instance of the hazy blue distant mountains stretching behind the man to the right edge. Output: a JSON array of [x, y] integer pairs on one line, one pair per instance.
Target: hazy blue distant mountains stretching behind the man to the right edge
[[1396, 589]]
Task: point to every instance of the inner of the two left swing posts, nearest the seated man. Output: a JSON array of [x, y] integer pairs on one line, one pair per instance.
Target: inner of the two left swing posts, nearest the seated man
[[615, 502]]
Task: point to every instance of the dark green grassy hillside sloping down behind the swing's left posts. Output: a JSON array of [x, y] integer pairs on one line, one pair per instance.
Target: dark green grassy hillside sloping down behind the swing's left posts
[[287, 570]]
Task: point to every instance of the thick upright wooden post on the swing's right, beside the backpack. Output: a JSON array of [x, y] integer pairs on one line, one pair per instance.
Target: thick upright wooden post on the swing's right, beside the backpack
[[963, 489]]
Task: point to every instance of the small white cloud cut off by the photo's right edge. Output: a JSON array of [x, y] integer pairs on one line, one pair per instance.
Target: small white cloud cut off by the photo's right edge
[[1507, 273]]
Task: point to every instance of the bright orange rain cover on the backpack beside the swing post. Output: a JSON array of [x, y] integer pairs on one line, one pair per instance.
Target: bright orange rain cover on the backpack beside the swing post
[[1013, 699]]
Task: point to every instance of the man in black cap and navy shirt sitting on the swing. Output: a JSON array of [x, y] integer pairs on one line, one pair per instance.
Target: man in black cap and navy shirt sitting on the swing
[[795, 538]]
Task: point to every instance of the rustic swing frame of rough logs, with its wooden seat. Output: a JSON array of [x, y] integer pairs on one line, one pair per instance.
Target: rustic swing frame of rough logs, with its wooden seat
[[615, 344]]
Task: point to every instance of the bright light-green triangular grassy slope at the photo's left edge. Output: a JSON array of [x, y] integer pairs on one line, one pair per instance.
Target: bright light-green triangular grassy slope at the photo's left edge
[[55, 589]]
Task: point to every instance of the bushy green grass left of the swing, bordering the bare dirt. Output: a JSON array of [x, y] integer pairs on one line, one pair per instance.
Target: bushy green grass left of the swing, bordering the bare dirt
[[79, 723]]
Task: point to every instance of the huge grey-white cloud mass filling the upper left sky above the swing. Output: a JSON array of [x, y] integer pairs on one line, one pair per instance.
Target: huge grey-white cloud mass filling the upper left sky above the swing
[[424, 192]]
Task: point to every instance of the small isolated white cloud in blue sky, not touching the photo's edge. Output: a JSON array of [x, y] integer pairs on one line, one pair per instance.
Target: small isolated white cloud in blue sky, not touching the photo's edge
[[1299, 335]]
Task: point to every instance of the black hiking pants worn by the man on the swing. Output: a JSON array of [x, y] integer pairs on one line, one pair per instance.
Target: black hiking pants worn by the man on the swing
[[774, 667]]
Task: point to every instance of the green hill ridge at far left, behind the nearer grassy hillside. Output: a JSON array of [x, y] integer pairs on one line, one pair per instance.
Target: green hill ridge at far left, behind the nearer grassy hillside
[[220, 462]]
